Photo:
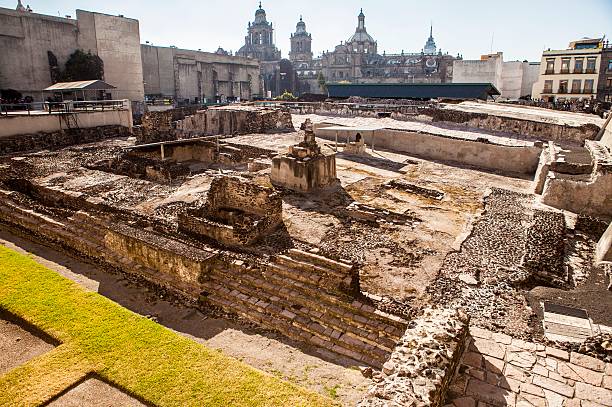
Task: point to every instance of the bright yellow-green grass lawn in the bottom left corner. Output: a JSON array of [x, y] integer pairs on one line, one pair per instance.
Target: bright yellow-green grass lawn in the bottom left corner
[[135, 354]]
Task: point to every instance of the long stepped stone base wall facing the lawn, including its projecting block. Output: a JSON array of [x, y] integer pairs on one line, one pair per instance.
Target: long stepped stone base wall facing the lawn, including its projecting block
[[305, 297]]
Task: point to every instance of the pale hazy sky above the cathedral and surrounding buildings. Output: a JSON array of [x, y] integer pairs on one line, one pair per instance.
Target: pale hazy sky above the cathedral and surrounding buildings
[[519, 28]]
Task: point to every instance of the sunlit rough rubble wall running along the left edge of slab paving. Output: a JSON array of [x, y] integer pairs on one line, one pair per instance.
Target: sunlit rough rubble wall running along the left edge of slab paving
[[423, 363]]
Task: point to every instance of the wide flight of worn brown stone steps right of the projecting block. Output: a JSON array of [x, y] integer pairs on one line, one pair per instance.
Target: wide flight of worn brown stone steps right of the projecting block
[[301, 296]]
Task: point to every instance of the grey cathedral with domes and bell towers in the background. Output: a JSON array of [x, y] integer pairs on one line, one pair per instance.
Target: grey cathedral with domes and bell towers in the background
[[355, 60]]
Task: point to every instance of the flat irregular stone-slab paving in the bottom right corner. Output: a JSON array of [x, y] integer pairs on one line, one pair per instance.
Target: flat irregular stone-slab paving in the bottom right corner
[[501, 371]]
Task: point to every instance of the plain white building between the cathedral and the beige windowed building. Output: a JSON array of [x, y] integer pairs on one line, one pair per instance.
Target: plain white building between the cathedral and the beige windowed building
[[514, 79]]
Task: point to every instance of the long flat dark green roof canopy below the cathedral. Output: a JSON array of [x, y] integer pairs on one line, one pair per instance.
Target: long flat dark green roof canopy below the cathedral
[[413, 90]]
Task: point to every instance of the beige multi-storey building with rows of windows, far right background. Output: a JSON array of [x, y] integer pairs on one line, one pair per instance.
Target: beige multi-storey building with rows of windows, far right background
[[572, 73]]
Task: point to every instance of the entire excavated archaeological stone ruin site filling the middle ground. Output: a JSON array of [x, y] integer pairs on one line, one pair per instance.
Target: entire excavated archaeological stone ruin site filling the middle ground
[[448, 254]]
